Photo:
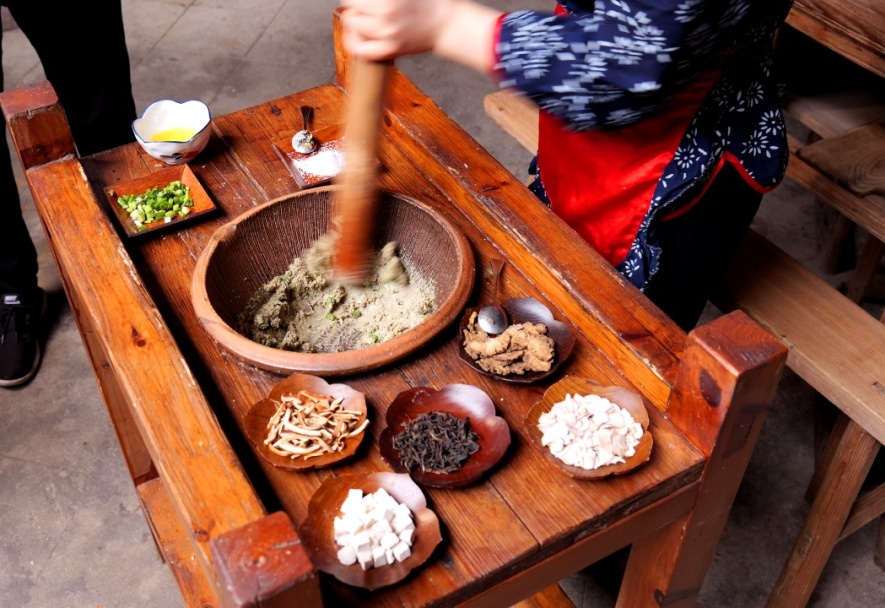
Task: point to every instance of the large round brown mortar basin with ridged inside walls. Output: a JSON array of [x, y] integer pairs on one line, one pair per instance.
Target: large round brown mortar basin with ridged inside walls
[[245, 253]]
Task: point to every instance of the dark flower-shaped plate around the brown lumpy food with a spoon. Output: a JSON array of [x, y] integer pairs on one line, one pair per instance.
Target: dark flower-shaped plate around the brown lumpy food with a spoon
[[522, 310]]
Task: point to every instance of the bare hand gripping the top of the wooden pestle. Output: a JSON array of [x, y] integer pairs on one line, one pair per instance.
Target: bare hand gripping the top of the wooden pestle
[[384, 29]]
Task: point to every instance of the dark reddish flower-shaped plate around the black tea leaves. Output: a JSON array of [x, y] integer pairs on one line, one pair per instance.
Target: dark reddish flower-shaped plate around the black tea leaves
[[464, 401]]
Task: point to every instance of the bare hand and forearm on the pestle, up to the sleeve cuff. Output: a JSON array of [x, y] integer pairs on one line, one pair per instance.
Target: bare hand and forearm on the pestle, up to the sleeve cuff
[[458, 30]]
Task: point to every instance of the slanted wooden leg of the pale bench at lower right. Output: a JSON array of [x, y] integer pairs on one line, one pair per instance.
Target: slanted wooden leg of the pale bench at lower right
[[822, 528]]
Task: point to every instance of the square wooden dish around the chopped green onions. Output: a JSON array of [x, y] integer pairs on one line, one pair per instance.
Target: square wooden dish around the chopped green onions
[[203, 204]]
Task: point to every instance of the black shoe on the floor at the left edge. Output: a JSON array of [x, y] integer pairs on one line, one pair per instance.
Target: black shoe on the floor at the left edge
[[19, 336]]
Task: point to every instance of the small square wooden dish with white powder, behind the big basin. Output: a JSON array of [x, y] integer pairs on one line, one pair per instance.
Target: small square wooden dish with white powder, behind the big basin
[[318, 167]]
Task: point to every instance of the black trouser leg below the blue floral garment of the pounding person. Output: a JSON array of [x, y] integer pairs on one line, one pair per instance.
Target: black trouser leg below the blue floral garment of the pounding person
[[697, 246]]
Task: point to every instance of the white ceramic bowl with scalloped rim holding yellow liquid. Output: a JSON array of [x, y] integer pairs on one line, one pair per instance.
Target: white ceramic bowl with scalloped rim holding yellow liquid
[[173, 132]]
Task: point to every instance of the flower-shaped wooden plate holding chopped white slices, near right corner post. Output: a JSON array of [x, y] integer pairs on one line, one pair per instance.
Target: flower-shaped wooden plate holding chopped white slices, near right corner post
[[627, 399]]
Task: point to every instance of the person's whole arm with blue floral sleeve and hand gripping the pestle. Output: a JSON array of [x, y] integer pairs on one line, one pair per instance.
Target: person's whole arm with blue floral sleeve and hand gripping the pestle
[[606, 64]]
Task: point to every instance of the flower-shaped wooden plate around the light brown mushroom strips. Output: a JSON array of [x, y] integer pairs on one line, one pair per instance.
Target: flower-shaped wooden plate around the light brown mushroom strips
[[258, 416]]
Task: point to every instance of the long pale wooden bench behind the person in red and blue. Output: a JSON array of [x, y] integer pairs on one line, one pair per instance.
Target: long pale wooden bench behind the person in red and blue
[[835, 346]]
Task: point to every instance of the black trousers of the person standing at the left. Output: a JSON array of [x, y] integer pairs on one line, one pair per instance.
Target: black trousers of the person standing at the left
[[82, 48]]
